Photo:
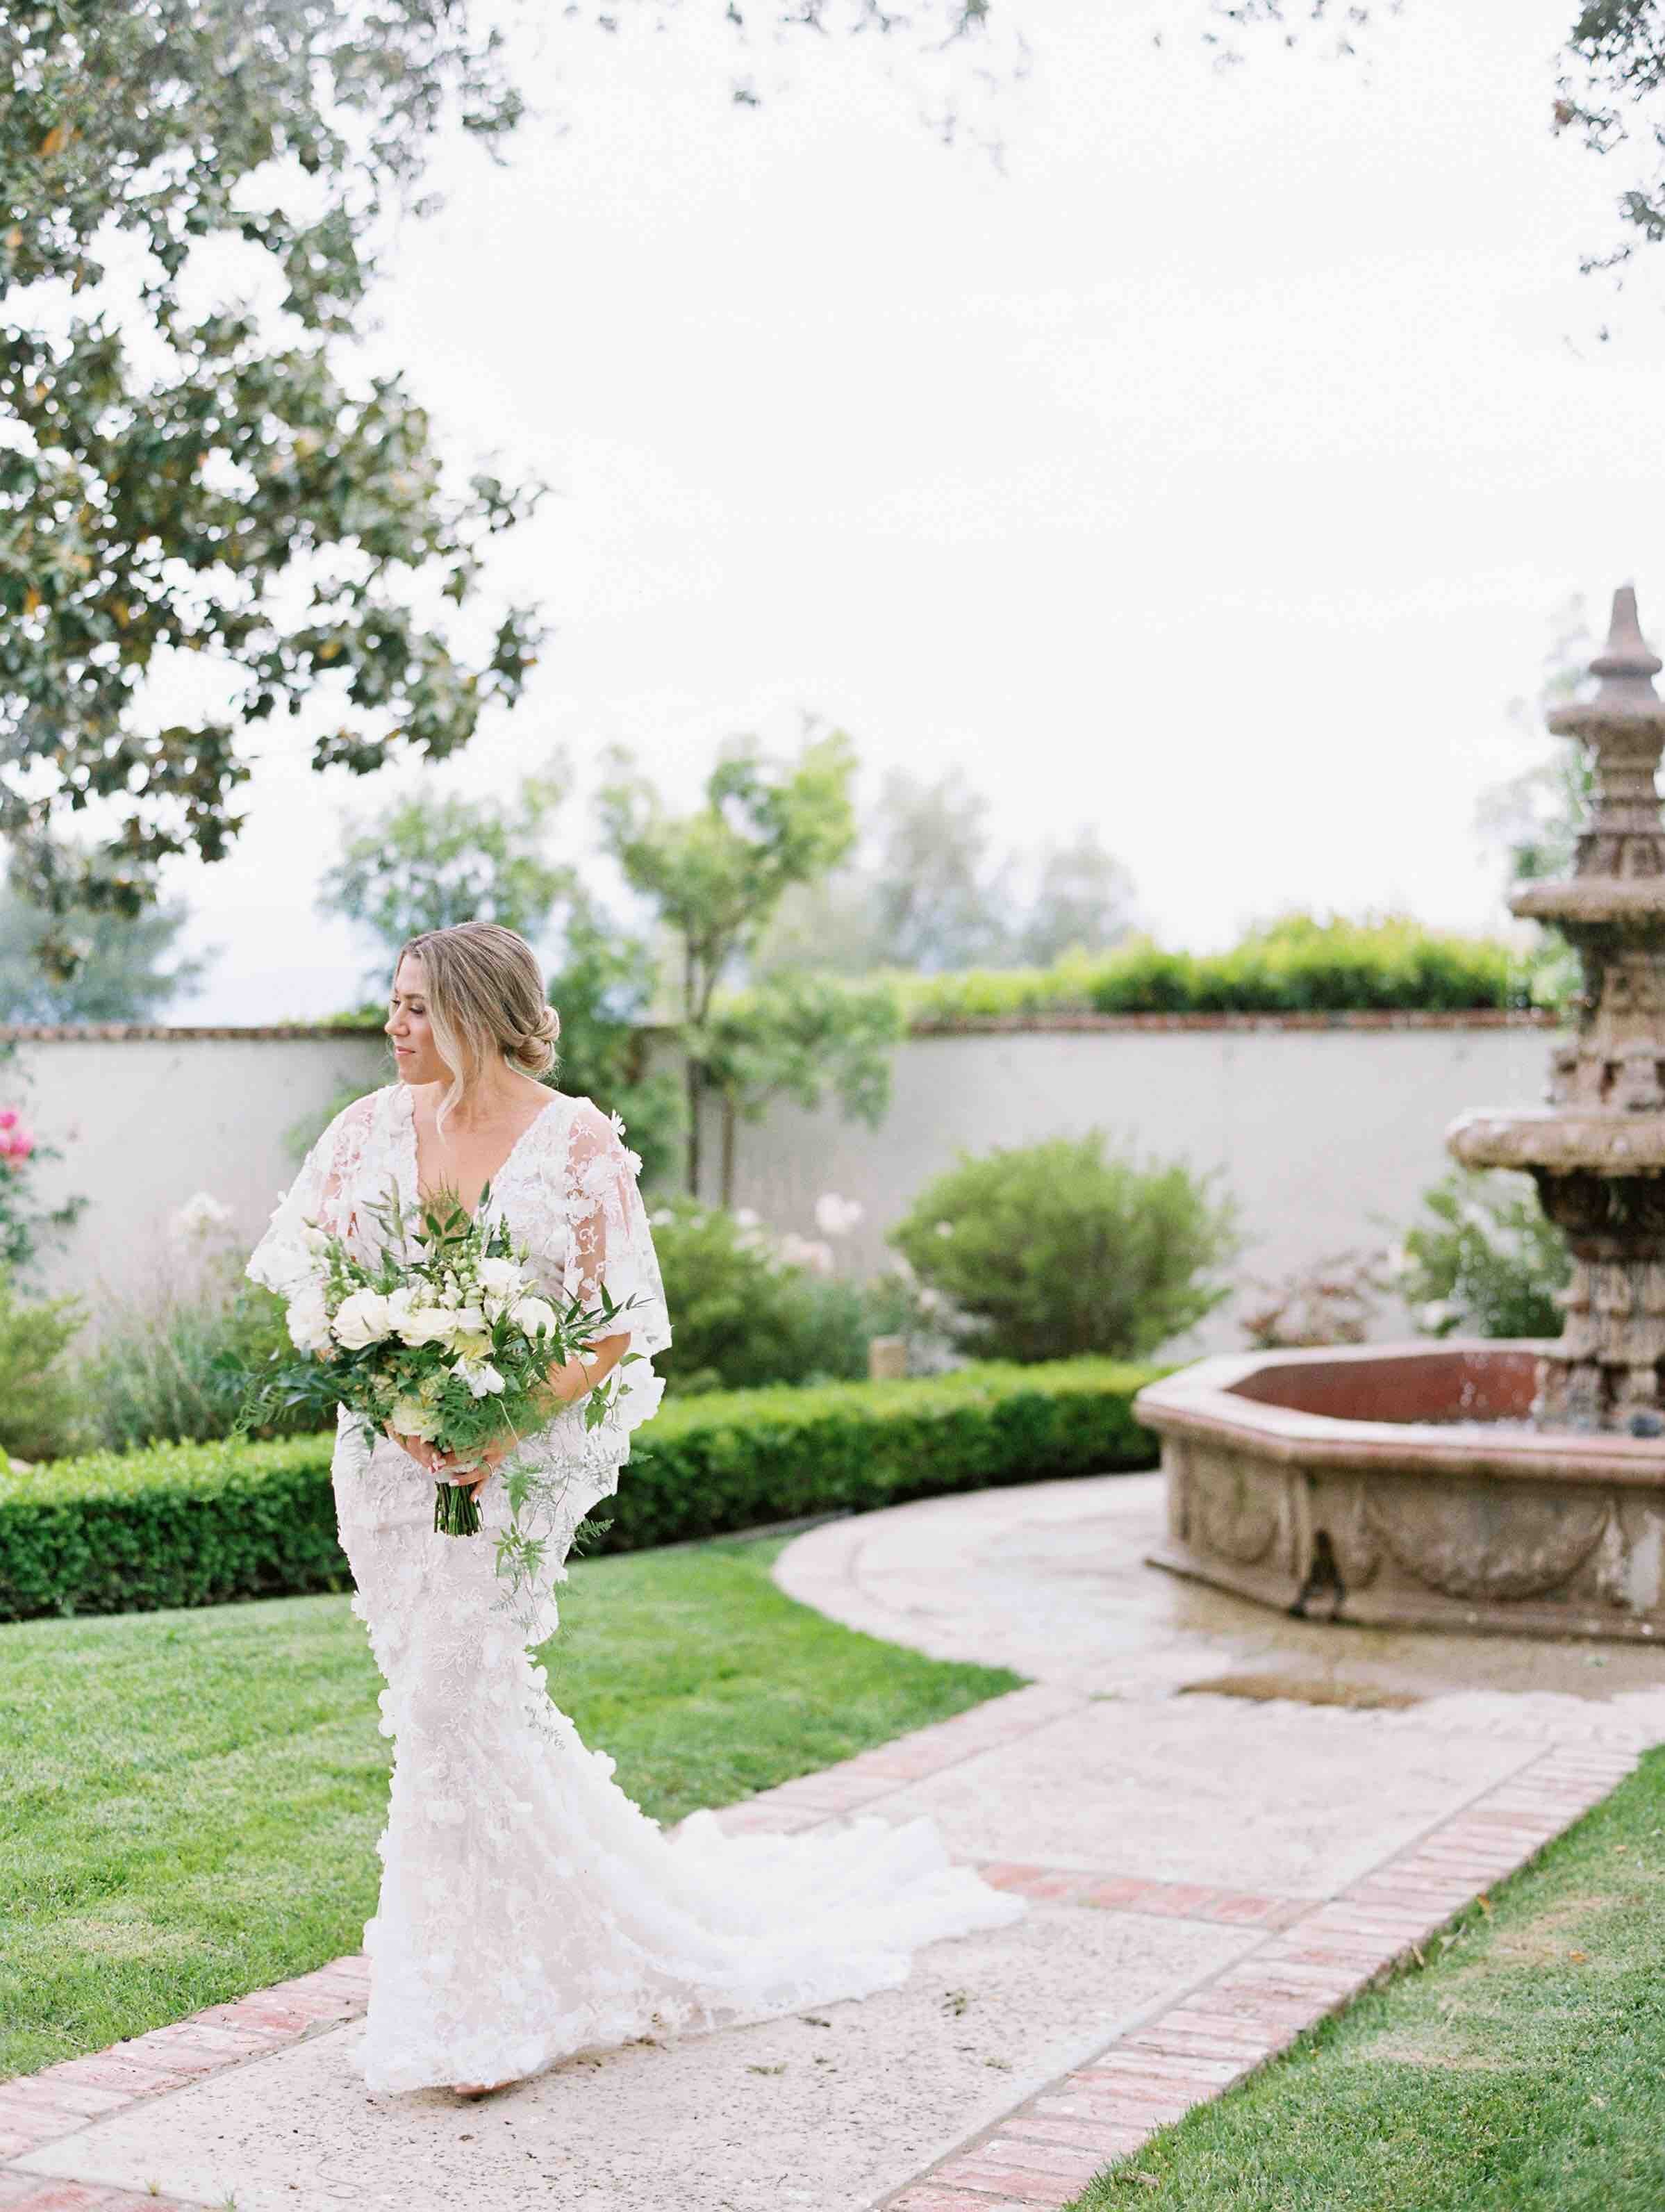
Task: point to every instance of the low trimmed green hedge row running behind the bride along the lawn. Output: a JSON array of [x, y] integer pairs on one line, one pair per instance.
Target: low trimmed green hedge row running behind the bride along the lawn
[[198, 1525]]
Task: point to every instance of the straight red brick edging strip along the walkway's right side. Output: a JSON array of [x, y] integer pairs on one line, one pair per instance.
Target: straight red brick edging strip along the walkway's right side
[[1045, 2153]]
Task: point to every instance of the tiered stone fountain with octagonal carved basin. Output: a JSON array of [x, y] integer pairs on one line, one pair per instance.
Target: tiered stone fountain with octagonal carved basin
[[1465, 1483]]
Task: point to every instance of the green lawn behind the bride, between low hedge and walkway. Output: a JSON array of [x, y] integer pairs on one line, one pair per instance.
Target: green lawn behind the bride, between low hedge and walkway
[[191, 1802]]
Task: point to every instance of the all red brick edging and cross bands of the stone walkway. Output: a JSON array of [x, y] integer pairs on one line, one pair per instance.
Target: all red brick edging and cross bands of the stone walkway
[[1315, 1957]]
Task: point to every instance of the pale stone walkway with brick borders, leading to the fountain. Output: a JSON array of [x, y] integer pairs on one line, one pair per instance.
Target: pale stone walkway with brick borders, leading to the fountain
[[1211, 1868]]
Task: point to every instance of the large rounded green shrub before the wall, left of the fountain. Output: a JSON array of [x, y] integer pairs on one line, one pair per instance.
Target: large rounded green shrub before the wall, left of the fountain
[[1062, 1249]]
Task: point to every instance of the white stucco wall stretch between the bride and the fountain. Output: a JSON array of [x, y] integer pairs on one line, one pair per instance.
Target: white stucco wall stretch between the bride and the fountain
[[1317, 1134]]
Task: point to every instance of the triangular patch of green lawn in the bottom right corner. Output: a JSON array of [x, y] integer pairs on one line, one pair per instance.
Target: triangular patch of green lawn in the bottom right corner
[[1520, 2072]]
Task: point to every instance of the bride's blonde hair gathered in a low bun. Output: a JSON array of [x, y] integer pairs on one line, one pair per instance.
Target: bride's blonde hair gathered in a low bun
[[485, 994]]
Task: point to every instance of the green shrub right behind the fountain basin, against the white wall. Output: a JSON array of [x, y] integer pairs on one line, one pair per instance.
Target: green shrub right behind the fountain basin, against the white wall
[[1487, 1264]]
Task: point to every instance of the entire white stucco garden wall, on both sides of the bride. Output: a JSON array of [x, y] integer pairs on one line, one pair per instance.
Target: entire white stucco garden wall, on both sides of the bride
[[1326, 1136]]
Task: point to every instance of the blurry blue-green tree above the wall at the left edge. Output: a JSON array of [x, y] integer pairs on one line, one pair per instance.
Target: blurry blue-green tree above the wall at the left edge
[[125, 970]]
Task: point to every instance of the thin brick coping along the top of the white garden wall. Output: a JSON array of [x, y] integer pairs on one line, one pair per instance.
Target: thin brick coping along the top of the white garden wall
[[970, 1025]]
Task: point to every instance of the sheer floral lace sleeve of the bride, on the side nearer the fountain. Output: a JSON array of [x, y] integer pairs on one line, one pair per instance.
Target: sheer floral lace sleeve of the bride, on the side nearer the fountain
[[611, 1246]]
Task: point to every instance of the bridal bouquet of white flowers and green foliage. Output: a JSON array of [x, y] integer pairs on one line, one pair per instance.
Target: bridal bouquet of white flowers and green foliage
[[446, 1337]]
